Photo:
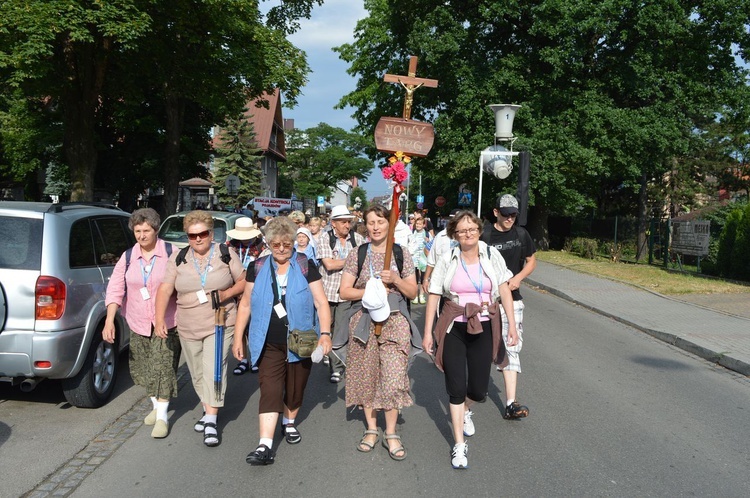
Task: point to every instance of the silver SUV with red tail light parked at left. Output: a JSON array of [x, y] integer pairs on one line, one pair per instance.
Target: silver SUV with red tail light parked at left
[[55, 262]]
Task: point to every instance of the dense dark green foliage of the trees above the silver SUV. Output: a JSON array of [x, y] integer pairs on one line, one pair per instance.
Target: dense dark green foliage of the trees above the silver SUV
[[117, 72]]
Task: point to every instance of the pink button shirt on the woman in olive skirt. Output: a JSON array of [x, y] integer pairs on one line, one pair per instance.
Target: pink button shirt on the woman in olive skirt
[[139, 312]]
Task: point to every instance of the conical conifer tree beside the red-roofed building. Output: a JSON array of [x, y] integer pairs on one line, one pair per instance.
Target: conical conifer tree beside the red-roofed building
[[238, 155]]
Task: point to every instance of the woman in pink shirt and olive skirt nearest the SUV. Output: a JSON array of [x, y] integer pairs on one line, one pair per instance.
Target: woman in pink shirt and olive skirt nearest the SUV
[[154, 356]]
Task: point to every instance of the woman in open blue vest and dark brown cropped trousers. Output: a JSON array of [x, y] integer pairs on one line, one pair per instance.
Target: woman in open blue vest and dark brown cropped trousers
[[282, 293]]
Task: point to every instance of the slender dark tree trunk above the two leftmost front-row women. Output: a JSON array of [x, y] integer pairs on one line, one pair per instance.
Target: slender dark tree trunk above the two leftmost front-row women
[[175, 109]]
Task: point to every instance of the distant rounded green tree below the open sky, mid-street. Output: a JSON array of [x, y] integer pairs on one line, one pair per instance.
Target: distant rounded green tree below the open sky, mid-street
[[320, 157]]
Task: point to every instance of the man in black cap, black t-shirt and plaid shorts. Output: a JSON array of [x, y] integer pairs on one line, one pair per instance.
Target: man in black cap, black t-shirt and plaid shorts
[[517, 248]]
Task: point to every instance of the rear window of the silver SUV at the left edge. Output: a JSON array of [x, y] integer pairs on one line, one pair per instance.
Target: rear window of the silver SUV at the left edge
[[21, 243]]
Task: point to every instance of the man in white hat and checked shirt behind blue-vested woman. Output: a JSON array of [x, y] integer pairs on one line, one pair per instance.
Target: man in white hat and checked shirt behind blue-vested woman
[[333, 249]]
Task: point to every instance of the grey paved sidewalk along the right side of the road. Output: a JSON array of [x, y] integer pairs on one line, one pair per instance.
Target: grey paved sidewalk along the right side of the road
[[719, 336]]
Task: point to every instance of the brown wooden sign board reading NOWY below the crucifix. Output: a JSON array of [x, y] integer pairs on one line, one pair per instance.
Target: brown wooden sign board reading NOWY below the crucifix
[[413, 138]]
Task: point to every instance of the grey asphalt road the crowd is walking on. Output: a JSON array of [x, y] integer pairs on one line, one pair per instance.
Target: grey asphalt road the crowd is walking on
[[614, 412]]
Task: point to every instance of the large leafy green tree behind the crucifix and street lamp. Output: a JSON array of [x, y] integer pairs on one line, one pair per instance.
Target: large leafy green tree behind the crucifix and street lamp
[[612, 92]]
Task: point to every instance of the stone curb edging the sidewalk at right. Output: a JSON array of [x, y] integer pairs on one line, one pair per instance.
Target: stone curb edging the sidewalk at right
[[719, 358]]
